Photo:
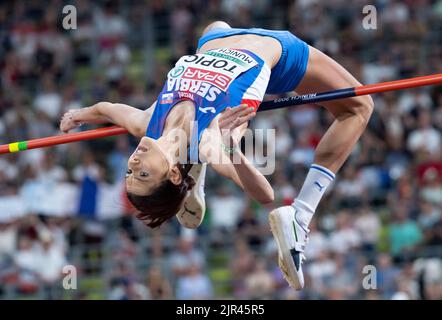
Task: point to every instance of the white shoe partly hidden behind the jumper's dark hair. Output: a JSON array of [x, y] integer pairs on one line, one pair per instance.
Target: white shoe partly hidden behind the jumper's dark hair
[[192, 213]]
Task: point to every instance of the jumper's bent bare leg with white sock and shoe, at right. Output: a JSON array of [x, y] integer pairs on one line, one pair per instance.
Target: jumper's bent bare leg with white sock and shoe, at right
[[290, 224]]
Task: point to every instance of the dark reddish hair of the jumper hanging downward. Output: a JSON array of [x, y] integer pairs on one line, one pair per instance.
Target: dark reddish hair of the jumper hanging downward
[[164, 202]]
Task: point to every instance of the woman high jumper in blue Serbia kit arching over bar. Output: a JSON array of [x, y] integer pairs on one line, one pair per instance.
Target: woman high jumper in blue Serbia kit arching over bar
[[232, 67]]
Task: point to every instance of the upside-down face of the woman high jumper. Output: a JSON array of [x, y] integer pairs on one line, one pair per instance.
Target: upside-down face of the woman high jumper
[[147, 168]]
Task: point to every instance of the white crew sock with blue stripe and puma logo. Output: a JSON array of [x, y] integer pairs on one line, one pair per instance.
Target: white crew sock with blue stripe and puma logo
[[316, 183]]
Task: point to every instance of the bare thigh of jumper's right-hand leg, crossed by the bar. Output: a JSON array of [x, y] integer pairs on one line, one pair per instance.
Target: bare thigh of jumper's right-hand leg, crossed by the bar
[[325, 74]]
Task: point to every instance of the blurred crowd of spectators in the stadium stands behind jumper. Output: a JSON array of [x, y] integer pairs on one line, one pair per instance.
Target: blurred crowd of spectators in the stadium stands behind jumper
[[64, 205]]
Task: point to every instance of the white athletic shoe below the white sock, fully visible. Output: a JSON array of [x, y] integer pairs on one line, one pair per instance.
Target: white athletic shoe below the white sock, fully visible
[[291, 239]]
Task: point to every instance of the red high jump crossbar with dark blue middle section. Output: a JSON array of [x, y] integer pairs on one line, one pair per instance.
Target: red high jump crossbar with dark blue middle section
[[428, 80]]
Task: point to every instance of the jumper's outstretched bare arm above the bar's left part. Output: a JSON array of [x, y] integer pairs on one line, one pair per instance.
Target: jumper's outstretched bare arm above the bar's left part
[[123, 115]]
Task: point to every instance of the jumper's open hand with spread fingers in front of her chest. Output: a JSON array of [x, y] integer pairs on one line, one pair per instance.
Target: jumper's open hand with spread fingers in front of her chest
[[230, 121]]
